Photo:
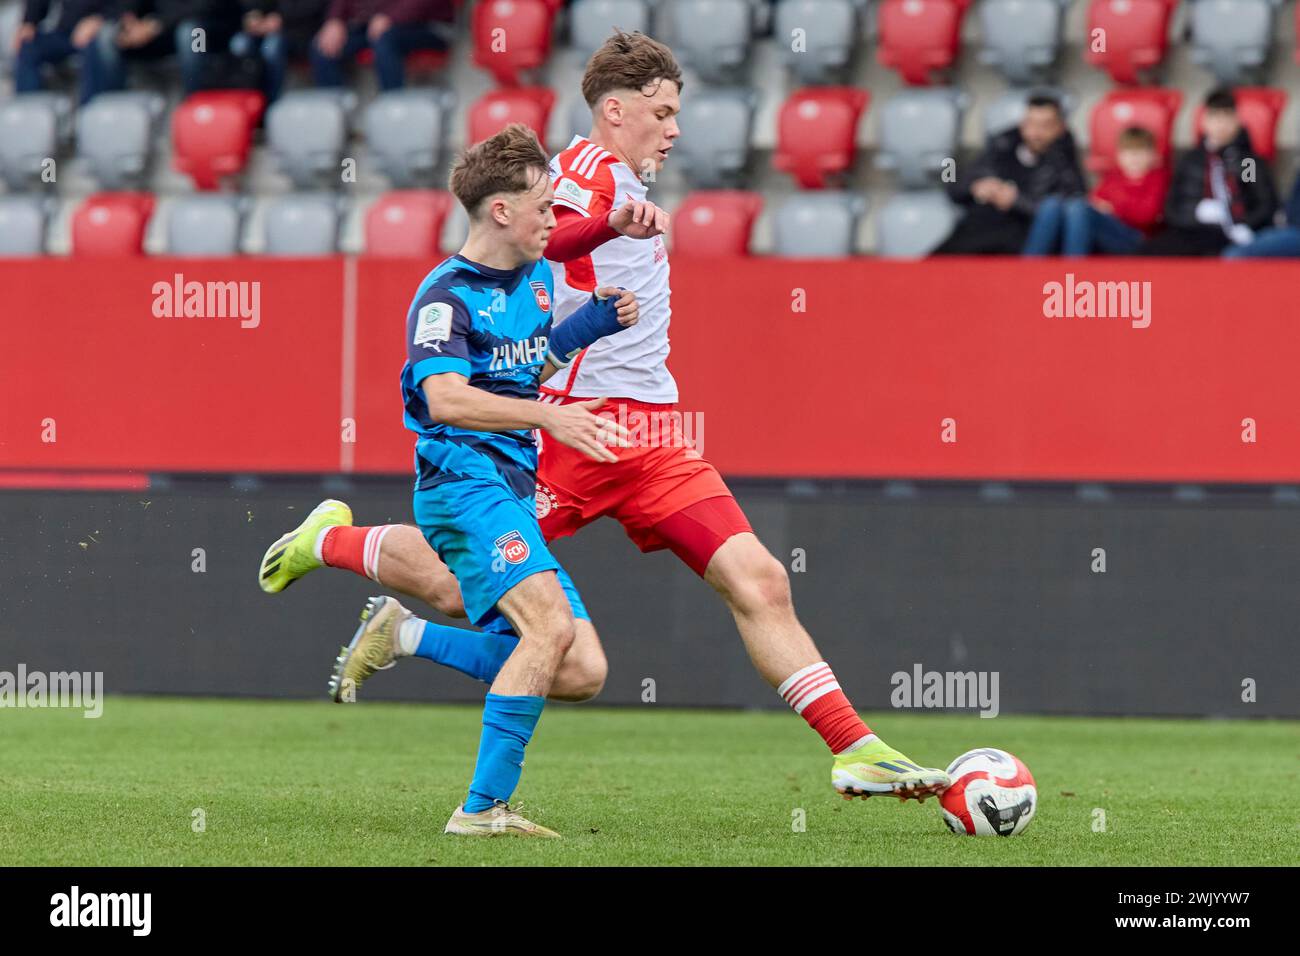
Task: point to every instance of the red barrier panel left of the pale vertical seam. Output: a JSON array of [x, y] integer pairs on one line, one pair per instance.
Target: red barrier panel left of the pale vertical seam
[[94, 374]]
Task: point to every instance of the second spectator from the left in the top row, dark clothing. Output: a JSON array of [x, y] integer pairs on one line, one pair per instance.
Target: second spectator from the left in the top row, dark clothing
[[150, 31]]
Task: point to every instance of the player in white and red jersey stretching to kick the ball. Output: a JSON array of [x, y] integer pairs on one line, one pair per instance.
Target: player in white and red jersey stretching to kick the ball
[[662, 492]]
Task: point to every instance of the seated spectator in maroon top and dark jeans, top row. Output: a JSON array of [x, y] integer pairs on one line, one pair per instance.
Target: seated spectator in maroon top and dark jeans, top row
[[391, 28]]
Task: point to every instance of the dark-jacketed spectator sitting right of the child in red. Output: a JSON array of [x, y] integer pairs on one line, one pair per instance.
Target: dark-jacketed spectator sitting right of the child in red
[[1221, 191]]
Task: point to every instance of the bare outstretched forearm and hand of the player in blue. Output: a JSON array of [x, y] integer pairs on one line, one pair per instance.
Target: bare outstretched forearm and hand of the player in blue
[[453, 401]]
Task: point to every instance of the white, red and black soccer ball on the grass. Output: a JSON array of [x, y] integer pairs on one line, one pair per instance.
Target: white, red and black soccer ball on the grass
[[993, 794]]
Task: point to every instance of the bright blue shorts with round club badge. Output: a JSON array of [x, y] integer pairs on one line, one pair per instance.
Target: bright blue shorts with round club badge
[[491, 542]]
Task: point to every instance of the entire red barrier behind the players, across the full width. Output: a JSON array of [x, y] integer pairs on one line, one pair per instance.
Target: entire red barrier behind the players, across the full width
[[868, 369]]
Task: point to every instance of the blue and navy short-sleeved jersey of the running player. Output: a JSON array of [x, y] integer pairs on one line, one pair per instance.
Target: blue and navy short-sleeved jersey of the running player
[[493, 327]]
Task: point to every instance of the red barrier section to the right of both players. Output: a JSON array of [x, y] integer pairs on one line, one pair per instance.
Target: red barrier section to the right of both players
[[863, 383]]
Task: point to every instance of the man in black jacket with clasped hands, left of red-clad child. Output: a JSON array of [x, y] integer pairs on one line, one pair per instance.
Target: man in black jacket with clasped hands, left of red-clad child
[[1017, 171]]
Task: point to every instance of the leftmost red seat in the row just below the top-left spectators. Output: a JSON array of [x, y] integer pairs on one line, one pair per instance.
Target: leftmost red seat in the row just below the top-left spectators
[[213, 133]]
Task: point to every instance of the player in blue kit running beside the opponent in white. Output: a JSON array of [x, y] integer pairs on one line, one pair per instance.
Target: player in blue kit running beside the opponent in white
[[479, 344]]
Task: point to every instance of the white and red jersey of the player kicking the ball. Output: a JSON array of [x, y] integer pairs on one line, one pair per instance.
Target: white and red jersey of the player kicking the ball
[[630, 365]]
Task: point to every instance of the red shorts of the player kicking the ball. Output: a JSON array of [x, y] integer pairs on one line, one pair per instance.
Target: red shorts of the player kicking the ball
[[656, 490]]
